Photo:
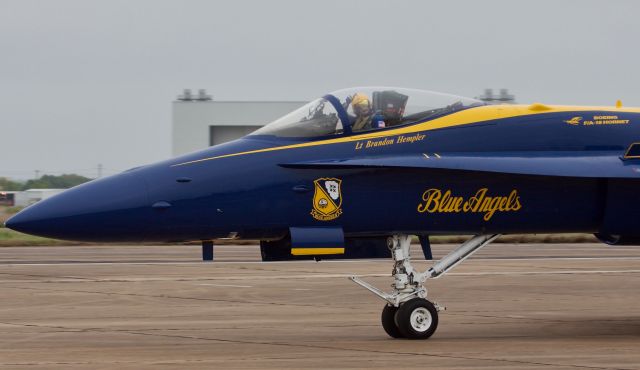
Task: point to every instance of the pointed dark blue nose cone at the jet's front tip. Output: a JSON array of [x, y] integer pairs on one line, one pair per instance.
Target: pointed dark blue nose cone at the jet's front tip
[[110, 209]]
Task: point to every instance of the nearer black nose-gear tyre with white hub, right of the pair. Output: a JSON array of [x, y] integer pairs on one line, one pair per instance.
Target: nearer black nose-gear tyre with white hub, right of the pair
[[417, 319]]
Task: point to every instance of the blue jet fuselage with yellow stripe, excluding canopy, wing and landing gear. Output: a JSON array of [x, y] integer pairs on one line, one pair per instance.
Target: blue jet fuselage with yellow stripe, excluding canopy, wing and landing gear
[[242, 189]]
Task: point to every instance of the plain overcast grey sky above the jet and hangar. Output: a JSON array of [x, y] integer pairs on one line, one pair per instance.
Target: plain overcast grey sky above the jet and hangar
[[86, 82]]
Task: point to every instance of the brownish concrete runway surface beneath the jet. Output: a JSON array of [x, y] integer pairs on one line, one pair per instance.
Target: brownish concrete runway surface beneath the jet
[[527, 306]]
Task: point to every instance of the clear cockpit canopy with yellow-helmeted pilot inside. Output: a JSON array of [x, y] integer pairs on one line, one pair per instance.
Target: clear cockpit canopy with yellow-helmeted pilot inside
[[363, 109]]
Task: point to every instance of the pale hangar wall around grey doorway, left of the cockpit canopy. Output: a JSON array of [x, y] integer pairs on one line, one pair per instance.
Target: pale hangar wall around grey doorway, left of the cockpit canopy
[[192, 119]]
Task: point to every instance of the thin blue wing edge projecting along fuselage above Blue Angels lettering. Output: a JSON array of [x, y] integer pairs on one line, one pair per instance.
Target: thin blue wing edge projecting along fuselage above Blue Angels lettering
[[567, 164]]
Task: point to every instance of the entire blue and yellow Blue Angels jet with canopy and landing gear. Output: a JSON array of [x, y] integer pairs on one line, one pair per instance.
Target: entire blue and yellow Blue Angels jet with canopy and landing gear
[[359, 172]]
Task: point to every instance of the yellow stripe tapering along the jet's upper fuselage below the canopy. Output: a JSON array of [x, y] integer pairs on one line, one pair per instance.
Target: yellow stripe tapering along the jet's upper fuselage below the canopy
[[464, 117]]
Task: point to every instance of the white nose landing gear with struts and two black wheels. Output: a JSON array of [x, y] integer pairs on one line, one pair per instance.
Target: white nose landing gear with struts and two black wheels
[[408, 313]]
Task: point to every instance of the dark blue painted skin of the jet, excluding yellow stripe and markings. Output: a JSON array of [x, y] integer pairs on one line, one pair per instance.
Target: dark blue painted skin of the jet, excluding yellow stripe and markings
[[568, 179]]
